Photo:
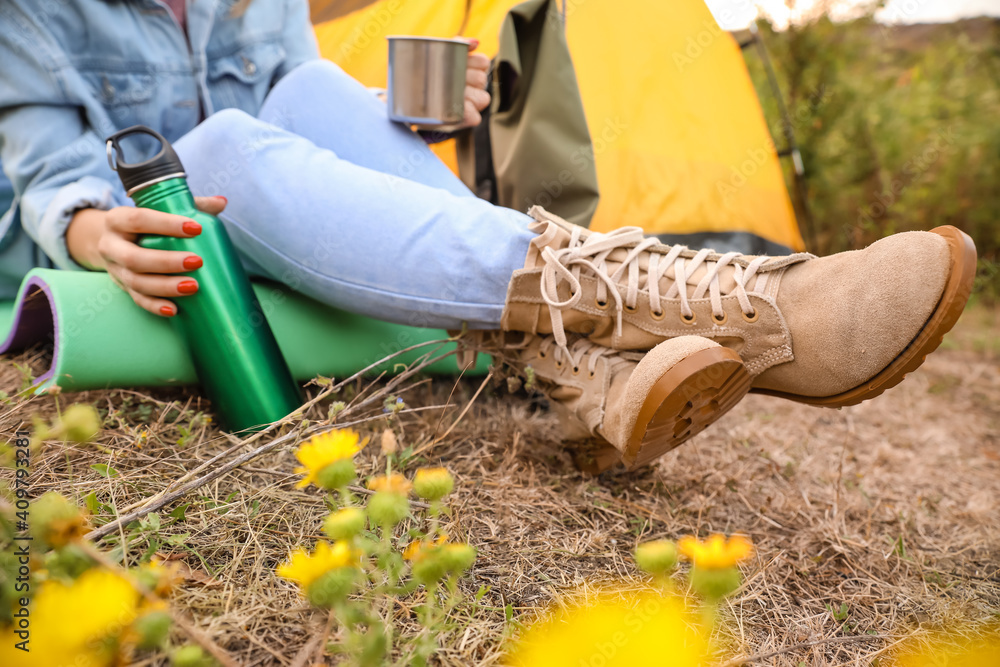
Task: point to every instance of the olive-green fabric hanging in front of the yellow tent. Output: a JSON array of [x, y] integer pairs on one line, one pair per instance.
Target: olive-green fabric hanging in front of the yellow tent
[[533, 146]]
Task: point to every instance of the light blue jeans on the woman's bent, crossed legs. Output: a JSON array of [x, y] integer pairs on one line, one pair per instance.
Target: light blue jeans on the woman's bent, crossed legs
[[329, 197]]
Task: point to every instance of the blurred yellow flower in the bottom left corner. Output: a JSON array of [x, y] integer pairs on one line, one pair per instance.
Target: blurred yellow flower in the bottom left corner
[[75, 624]]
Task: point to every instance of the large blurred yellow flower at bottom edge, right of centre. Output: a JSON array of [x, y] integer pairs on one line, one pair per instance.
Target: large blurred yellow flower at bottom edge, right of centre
[[649, 629]]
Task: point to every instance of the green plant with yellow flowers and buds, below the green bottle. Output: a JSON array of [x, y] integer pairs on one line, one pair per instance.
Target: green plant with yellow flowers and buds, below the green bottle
[[363, 572]]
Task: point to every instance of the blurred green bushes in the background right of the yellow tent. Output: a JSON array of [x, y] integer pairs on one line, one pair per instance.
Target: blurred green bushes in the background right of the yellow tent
[[898, 128]]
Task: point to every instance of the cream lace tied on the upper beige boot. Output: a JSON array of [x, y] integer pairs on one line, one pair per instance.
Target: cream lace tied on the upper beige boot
[[591, 254]]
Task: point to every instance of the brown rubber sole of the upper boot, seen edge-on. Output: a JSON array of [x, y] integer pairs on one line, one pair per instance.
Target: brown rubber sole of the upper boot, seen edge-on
[[956, 294]]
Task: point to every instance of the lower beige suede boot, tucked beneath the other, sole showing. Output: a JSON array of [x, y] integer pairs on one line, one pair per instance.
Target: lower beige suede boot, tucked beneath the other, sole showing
[[644, 404]]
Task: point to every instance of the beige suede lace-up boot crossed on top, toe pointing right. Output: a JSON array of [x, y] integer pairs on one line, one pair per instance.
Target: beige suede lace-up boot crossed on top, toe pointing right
[[829, 331]]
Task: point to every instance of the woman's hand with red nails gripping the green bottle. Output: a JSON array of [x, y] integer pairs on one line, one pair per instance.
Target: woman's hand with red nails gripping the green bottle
[[105, 240]]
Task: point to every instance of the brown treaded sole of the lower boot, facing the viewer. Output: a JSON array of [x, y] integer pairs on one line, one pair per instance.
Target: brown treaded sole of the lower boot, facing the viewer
[[687, 399]]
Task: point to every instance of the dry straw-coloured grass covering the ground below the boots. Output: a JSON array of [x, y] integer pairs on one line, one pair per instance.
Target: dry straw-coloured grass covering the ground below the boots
[[890, 508]]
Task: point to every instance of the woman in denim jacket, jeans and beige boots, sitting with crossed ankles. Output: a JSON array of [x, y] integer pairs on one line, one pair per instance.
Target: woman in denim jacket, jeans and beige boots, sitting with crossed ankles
[[320, 191]]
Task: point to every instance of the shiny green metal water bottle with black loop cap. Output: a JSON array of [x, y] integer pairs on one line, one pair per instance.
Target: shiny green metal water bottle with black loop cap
[[237, 359]]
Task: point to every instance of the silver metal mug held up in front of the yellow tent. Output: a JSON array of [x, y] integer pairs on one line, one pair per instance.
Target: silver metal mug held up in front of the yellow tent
[[427, 80]]
